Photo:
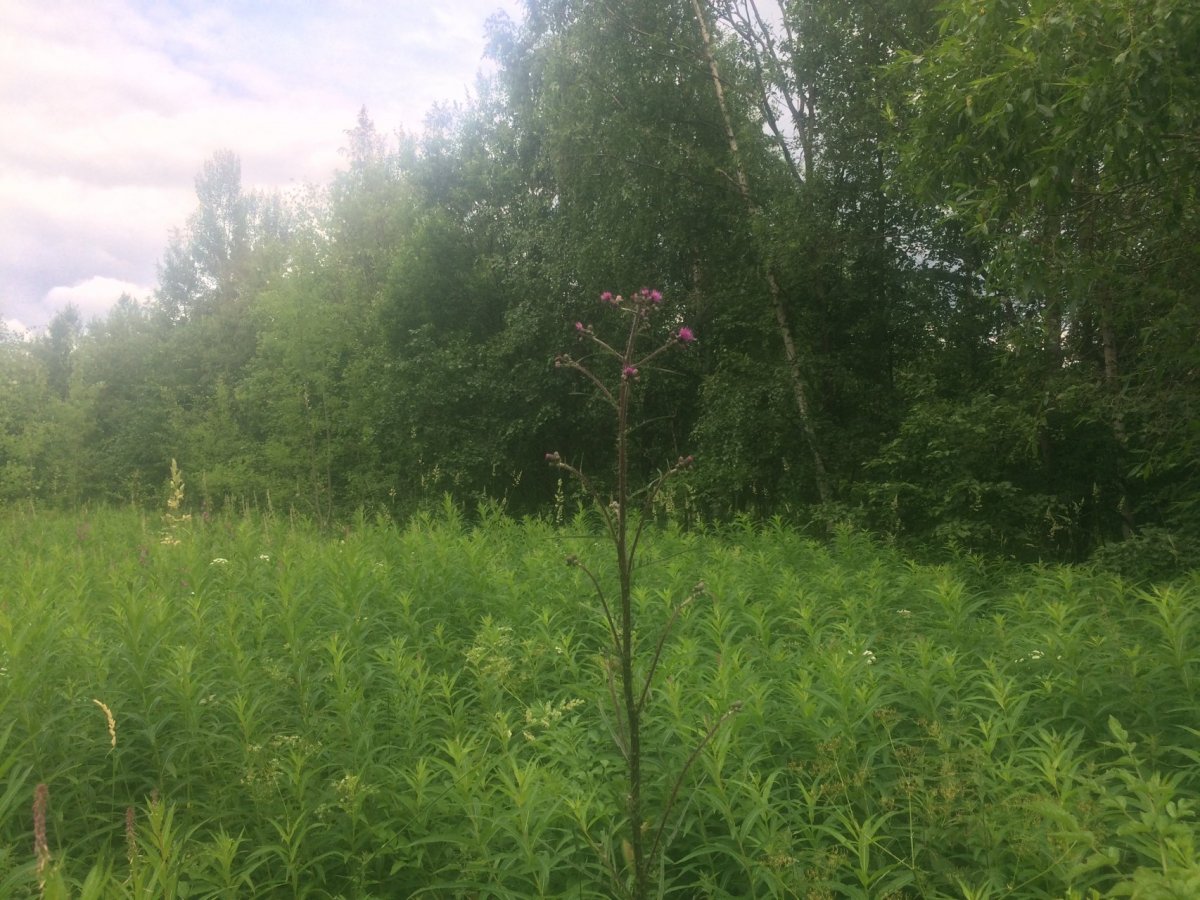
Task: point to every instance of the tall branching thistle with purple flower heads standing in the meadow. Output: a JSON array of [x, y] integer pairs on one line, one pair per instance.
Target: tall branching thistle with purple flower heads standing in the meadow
[[616, 374]]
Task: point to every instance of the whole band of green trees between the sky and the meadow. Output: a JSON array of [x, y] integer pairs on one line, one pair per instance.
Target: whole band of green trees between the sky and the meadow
[[941, 262]]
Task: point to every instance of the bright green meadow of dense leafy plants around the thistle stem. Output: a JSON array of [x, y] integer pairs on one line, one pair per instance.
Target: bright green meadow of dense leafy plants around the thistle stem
[[249, 707]]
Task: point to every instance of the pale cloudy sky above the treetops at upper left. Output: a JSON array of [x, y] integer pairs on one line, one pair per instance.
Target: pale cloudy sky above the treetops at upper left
[[111, 107]]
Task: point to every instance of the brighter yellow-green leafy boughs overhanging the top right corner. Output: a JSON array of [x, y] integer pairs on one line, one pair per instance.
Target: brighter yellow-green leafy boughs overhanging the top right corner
[[1037, 94]]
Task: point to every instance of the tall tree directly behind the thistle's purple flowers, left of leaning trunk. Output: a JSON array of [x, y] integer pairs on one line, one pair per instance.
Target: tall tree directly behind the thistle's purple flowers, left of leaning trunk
[[617, 177]]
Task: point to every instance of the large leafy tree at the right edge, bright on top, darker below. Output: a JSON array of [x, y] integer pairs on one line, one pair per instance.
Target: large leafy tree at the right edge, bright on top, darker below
[[1064, 134]]
